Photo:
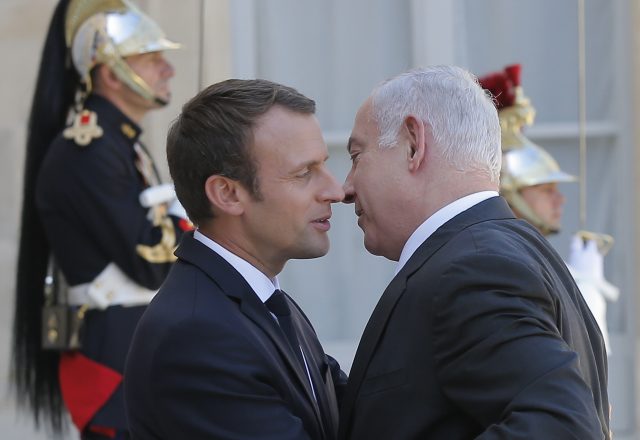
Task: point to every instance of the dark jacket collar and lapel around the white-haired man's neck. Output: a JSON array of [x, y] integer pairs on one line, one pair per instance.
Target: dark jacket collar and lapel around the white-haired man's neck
[[490, 209]]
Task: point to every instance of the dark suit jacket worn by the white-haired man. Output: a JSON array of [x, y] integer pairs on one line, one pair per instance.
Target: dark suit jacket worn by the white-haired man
[[482, 334]]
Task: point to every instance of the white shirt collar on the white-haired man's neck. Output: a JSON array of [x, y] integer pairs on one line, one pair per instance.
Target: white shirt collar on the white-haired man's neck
[[439, 218]]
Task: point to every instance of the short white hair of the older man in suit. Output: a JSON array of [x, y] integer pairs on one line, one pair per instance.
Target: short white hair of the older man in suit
[[461, 117]]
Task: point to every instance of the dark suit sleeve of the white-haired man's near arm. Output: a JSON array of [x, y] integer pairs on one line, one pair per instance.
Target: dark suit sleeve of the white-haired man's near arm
[[499, 355]]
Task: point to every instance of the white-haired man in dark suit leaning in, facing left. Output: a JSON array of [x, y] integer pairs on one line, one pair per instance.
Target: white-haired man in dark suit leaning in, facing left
[[482, 333]]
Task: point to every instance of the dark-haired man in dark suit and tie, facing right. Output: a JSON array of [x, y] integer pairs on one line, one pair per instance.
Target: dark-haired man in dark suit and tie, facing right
[[222, 352]]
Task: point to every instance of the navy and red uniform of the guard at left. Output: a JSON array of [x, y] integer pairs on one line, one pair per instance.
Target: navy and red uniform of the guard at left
[[88, 199]]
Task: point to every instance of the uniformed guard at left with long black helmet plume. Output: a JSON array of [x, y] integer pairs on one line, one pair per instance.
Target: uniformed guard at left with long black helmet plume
[[82, 218]]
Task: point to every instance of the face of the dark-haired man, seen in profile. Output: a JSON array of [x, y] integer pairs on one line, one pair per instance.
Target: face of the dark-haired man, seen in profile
[[291, 219]]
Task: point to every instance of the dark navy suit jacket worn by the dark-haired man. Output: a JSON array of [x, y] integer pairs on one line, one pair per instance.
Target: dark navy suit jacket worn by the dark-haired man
[[208, 361]]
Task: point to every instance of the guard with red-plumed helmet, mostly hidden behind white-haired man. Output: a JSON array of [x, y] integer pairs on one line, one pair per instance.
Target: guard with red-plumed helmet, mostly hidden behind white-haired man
[[529, 181]]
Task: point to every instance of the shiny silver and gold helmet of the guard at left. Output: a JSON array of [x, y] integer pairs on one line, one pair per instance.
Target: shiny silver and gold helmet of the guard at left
[[107, 31]]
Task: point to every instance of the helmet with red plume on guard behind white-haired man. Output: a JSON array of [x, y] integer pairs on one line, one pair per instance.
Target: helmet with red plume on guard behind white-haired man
[[523, 162]]
